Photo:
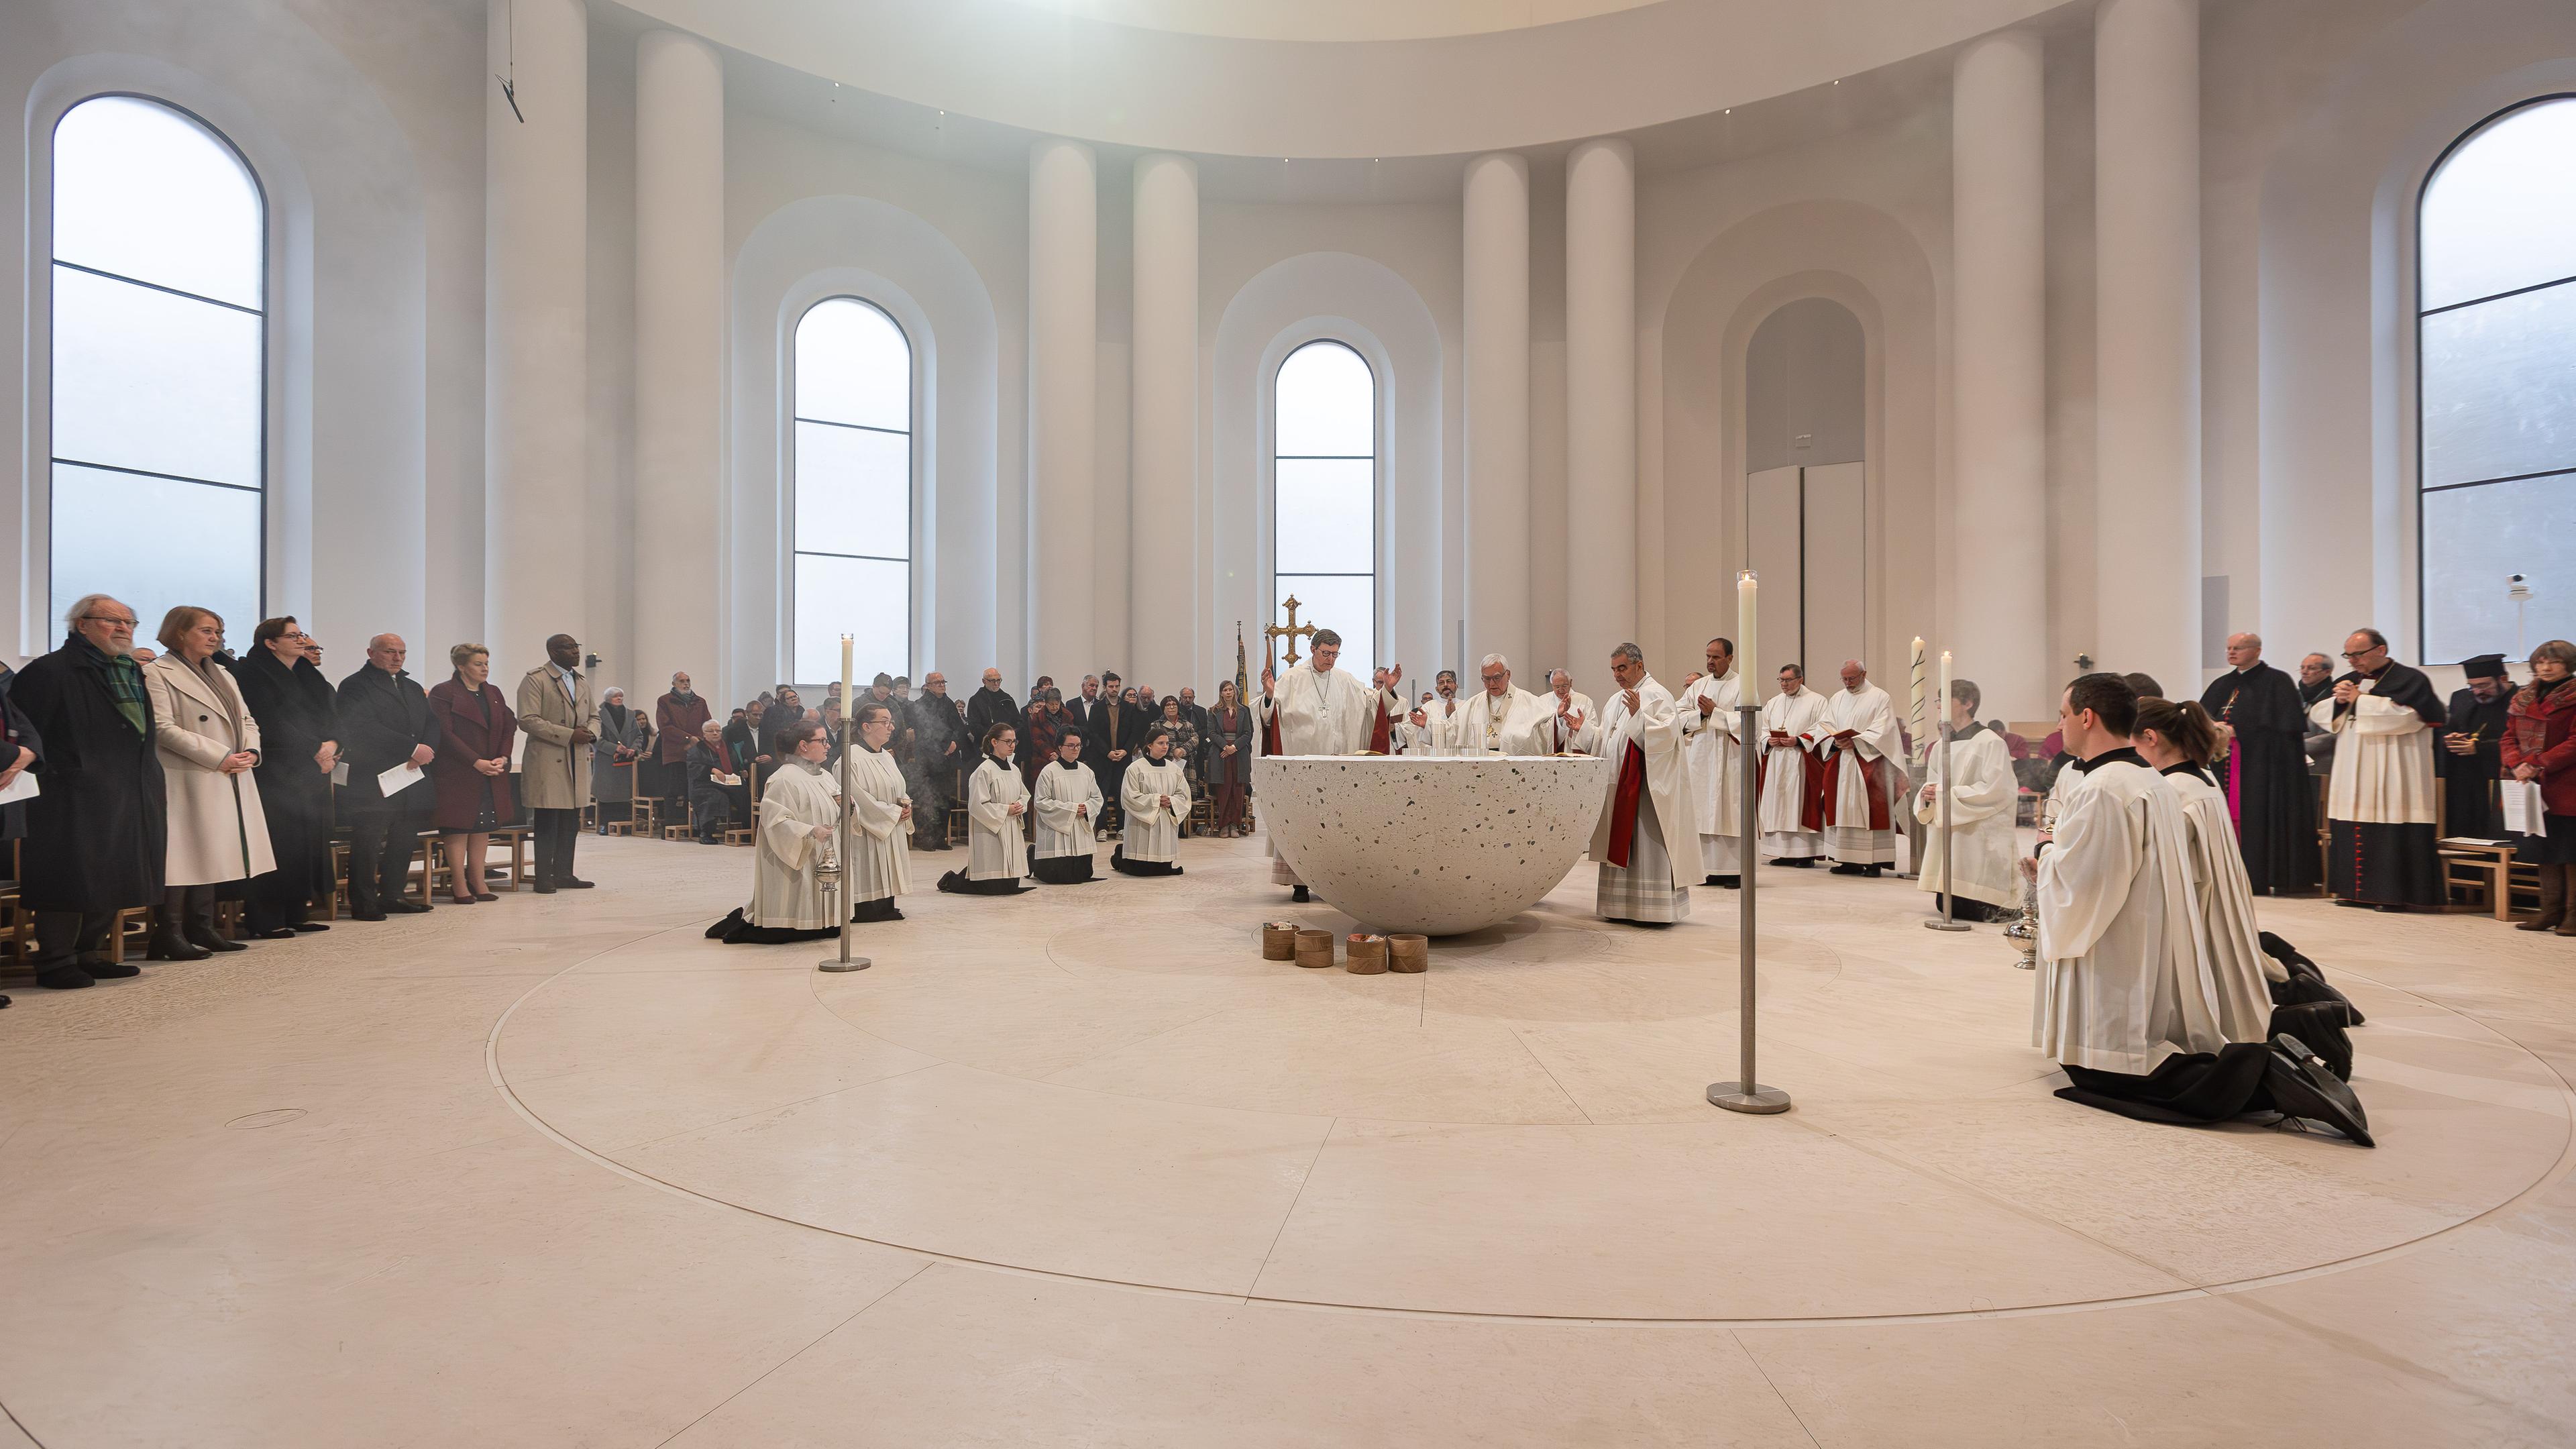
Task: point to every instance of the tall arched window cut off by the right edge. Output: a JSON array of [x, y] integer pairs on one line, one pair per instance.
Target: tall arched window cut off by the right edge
[[2497, 344]]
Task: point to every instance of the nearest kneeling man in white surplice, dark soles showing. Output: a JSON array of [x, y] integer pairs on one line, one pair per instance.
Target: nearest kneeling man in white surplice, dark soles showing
[[2126, 999]]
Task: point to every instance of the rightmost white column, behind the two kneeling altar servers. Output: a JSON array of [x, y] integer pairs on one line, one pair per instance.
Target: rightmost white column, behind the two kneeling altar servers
[[2147, 262]]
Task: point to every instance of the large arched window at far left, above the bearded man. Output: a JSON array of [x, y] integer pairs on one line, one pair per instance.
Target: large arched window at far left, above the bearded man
[[161, 365]]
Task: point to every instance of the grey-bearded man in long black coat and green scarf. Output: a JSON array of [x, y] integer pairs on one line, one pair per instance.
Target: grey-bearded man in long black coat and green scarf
[[99, 831]]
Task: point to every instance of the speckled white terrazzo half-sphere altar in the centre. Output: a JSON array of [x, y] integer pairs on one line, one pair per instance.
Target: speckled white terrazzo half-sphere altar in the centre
[[1431, 844]]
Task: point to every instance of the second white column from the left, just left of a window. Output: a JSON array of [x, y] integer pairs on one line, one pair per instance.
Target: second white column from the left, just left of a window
[[679, 362]]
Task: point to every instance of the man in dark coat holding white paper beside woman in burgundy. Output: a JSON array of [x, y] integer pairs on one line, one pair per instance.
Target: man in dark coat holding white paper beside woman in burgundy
[[385, 721]]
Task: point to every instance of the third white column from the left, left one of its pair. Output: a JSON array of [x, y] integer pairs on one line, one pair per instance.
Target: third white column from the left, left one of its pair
[[1063, 396]]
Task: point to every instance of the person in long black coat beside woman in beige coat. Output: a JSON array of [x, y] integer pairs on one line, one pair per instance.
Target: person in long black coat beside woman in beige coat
[[300, 746]]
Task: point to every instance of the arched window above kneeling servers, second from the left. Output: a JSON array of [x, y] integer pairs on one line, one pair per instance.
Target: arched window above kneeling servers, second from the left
[[854, 491]]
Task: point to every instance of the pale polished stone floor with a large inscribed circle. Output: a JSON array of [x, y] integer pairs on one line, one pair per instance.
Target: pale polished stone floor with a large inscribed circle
[[1083, 1169]]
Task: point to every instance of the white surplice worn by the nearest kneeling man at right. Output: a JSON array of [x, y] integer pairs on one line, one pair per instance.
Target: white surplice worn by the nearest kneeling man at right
[[2121, 976]]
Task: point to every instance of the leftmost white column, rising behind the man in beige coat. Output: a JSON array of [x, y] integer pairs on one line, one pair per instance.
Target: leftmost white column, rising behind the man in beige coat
[[537, 380]]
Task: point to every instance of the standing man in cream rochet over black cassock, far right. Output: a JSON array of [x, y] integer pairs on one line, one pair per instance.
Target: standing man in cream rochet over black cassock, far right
[[2379, 803]]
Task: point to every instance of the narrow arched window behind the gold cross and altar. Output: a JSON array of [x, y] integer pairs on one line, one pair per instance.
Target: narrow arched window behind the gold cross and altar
[[1325, 496]]
